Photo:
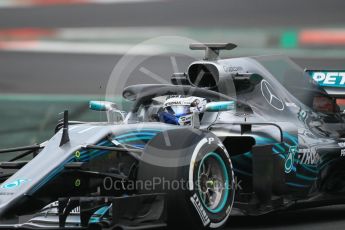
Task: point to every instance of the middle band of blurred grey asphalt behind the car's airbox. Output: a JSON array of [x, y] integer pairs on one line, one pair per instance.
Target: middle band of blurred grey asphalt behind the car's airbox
[[44, 73]]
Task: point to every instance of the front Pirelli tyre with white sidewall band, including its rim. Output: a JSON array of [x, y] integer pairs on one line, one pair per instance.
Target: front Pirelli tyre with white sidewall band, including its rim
[[194, 169]]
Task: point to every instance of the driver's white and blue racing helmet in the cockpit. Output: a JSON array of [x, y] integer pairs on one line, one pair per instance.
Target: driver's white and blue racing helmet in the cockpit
[[178, 110]]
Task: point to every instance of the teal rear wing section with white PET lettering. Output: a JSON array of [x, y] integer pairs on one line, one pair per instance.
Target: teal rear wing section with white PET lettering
[[333, 81]]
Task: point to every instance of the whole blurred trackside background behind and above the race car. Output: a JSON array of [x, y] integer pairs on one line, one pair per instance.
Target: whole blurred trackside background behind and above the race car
[[58, 54]]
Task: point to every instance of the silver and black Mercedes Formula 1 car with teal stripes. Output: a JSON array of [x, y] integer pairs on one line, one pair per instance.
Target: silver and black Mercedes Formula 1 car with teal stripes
[[230, 136]]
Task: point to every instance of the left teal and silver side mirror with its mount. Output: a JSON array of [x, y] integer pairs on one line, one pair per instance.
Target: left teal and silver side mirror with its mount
[[113, 113]]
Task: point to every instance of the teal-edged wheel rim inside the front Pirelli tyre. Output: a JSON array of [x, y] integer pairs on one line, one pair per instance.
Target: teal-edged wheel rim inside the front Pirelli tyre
[[213, 182]]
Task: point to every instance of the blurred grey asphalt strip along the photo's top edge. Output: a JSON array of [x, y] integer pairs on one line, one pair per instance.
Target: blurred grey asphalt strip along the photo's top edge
[[190, 13]]
